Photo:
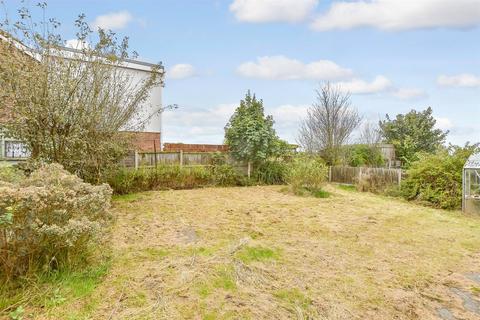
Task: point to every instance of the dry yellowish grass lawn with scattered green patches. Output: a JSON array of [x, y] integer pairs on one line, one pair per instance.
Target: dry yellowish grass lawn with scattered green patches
[[258, 253]]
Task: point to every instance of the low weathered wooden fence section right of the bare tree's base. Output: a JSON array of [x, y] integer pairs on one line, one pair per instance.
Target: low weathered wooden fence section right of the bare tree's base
[[352, 175]]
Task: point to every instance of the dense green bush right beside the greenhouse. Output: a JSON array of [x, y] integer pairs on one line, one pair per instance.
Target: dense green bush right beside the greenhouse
[[436, 179]]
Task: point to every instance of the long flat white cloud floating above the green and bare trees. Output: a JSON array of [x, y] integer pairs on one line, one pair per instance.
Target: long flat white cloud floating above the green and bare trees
[[283, 68]]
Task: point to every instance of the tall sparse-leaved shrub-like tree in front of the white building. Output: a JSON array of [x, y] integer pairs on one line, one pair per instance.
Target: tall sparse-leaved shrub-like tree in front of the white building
[[69, 107]]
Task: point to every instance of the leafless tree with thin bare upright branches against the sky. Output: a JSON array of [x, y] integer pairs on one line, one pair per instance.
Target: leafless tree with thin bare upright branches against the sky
[[330, 122]]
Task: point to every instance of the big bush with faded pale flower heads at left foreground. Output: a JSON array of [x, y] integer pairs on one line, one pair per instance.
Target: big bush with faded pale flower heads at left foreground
[[49, 220]]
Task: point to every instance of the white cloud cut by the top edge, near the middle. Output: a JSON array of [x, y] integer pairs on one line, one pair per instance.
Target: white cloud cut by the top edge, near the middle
[[272, 10]]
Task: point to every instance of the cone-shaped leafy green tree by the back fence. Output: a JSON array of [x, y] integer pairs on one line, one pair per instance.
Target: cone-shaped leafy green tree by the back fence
[[250, 134]]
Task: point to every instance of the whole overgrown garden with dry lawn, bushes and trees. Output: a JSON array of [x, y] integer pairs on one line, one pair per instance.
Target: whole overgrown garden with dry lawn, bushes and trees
[[83, 237]]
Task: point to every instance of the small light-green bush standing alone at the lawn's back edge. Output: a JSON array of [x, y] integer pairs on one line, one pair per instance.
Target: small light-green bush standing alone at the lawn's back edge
[[307, 173]]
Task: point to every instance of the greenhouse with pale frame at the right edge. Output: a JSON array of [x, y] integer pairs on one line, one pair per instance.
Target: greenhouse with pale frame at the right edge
[[471, 185]]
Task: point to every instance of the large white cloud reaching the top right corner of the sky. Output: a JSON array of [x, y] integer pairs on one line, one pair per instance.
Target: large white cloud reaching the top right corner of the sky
[[400, 15]]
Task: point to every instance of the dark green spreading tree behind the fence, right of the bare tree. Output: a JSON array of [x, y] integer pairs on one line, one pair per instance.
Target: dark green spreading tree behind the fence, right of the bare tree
[[412, 133]]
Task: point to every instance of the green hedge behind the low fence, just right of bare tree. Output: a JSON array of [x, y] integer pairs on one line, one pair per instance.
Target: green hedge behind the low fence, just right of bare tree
[[363, 155]]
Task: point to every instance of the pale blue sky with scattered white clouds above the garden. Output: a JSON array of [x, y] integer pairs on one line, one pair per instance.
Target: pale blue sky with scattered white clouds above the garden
[[391, 55]]
